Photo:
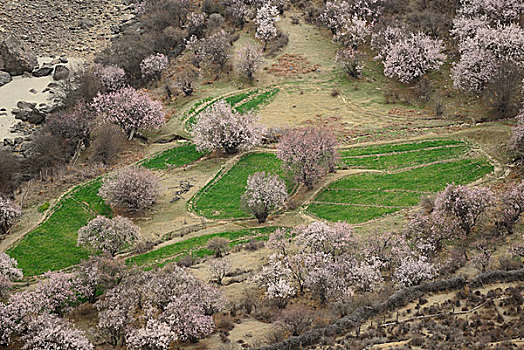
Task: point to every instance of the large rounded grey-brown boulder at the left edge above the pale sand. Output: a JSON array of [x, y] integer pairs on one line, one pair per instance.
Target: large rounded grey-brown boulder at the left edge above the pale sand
[[17, 57]]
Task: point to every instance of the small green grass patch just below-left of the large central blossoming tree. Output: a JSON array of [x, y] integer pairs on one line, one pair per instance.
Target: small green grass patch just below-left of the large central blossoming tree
[[174, 157]]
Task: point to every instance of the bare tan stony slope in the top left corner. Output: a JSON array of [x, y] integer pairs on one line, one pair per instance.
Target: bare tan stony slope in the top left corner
[[73, 27]]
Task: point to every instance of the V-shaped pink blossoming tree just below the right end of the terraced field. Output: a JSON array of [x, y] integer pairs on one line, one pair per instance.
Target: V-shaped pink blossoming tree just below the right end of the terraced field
[[465, 204]]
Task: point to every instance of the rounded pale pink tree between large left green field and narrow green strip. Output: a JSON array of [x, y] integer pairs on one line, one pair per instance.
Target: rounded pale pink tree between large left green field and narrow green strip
[[108, 235]]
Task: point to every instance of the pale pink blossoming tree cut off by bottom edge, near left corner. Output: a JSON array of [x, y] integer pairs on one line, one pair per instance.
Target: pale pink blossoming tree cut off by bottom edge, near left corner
[[51, 332]]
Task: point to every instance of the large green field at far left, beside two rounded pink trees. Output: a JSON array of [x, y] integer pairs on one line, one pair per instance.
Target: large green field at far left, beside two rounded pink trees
[[52, 245]]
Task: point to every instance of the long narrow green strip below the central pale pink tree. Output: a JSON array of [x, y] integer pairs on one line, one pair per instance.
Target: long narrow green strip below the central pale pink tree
[[196, 246]]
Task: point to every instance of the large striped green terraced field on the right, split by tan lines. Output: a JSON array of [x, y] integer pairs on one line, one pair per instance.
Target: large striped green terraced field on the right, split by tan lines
[[411, 170]]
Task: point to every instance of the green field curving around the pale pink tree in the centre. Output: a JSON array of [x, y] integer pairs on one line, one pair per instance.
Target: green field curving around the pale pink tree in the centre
[[221, 199]]
